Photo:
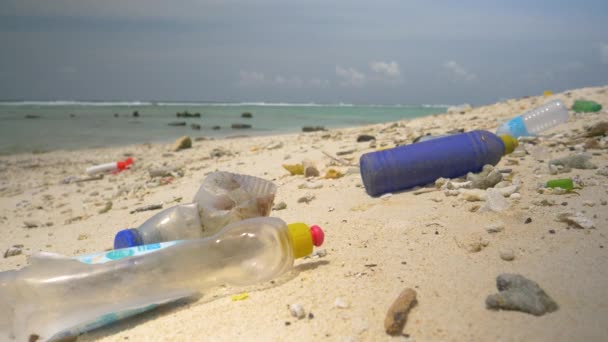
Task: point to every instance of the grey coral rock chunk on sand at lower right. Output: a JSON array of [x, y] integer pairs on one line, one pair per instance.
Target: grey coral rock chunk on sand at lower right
[[520, 294]]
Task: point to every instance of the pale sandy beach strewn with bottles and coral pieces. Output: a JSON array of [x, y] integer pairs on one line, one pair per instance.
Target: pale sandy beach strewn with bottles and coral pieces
[[376, 247]]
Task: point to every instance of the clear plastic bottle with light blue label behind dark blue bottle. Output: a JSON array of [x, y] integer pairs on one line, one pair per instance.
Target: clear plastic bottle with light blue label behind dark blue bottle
[[536, 120]]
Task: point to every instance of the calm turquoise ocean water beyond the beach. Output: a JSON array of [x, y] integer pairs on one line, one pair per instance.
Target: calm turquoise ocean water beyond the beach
[[40, 126]]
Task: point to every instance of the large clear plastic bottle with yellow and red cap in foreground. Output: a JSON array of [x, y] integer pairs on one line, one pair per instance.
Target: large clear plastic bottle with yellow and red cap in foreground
[[56, 296]]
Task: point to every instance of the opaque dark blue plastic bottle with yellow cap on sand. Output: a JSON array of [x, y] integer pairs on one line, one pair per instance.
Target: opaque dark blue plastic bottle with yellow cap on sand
[[452, 156]]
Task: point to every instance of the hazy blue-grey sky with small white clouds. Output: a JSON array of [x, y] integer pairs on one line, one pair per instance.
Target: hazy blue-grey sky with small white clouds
[[340, 51]]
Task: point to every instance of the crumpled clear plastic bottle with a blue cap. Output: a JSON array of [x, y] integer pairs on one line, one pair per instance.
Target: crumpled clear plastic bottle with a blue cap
[[223, 198]]
